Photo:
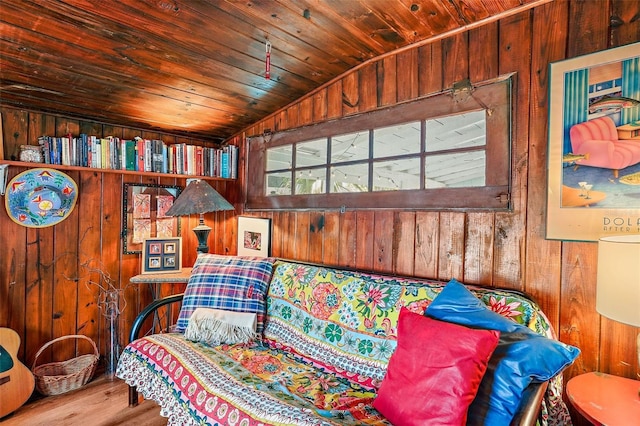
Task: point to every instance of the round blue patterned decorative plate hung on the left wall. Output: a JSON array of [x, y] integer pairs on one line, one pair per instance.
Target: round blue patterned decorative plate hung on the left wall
[[38, 198]]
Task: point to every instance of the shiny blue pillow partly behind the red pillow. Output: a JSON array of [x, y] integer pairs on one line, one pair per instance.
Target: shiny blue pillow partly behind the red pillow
[[522, 355]]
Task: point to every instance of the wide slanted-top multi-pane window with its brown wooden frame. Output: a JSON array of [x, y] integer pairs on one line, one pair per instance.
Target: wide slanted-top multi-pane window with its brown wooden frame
[[438, 152]]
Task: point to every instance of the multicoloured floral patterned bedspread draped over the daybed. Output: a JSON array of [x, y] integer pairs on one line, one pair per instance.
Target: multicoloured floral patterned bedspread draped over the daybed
[[314, 314]]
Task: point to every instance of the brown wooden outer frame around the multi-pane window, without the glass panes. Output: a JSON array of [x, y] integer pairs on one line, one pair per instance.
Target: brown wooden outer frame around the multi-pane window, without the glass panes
[[493, 96]]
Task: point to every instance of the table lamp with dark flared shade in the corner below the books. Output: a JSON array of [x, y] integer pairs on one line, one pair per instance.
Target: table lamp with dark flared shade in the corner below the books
[[199, 198]]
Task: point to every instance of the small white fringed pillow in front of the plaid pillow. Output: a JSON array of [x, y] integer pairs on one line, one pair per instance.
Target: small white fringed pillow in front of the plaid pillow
[[215, 326]]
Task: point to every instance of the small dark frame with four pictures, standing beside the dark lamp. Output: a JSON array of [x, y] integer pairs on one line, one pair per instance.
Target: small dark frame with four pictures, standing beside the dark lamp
[[161, 255]]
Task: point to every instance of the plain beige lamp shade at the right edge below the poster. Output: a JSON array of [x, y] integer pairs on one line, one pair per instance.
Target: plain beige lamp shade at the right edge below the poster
[[618, 280]]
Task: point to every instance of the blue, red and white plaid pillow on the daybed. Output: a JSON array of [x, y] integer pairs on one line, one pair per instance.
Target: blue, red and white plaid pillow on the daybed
[[230, 283]]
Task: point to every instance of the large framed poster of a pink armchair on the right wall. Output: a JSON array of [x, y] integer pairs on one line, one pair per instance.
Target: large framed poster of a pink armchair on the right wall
[[594, 145]]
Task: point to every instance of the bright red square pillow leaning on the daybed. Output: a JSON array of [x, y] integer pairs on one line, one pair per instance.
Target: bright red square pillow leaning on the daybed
[[435, 371]]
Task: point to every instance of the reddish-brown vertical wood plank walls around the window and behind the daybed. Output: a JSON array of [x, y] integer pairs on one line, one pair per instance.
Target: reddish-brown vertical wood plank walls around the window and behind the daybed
[[501, 249]]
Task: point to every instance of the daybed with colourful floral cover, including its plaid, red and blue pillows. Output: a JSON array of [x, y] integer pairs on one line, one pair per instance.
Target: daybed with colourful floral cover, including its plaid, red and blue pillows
[[336, 347]]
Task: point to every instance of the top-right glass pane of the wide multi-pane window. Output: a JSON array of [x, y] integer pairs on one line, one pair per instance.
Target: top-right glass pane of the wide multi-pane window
[[456, 131]]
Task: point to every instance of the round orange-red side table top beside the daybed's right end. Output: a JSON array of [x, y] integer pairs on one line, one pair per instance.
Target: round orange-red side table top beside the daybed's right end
[[604, 399]]
